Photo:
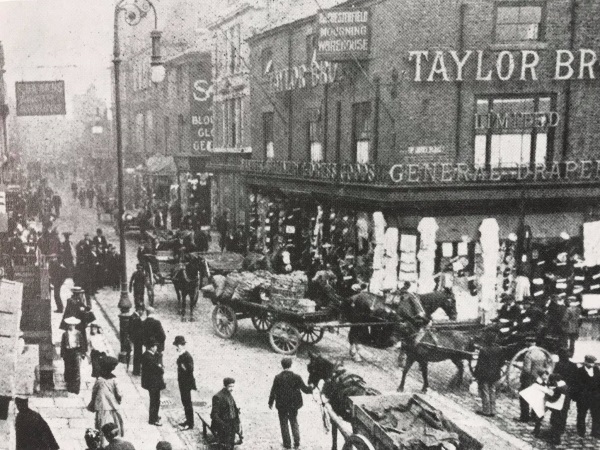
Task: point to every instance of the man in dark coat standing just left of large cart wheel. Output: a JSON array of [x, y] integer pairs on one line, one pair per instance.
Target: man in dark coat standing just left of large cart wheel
[[488, 373]]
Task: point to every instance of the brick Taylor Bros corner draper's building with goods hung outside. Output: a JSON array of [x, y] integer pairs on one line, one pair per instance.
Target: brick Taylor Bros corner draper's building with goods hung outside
[[458, 111]]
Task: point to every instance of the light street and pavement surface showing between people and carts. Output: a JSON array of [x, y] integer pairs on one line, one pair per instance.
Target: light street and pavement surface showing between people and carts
[[248, 358]]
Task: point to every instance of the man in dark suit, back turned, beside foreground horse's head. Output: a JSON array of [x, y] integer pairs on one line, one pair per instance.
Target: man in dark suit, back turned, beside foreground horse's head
[[286, 393]]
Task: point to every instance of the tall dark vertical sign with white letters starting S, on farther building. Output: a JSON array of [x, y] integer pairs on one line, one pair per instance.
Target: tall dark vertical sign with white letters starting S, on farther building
[[201, 110]]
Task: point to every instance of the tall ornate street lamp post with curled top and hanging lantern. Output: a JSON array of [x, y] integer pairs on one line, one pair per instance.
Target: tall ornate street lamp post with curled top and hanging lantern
[[134, 11]]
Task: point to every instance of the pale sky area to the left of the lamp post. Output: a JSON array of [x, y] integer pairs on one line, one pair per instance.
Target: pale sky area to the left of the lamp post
[[67, 40]]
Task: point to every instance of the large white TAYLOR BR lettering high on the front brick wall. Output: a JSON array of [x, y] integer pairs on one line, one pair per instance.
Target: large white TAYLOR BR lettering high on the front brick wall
[[482, 65]]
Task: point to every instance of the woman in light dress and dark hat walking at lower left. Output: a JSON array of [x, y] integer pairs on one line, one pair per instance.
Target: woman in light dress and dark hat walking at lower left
[[106, 396]]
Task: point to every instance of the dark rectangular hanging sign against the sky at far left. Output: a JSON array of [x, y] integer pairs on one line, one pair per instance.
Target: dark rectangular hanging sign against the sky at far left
[[40, 98]]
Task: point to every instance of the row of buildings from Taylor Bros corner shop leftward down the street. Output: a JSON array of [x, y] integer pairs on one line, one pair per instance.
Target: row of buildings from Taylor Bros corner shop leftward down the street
[[456, 110]]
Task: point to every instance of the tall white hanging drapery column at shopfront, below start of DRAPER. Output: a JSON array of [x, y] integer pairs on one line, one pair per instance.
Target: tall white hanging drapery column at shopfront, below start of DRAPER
[[490, 247]]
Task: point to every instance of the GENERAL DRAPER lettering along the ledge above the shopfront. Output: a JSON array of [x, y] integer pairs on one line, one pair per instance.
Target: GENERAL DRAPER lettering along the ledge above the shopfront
[[585, 170]]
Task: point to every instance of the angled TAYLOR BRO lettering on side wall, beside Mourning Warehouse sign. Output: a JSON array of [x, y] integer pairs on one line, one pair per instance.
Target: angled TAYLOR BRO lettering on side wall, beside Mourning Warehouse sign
[[302, 76]]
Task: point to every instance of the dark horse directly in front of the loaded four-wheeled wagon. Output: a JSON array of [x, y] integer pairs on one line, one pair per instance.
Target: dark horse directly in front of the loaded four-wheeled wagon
[[400, 312]]
